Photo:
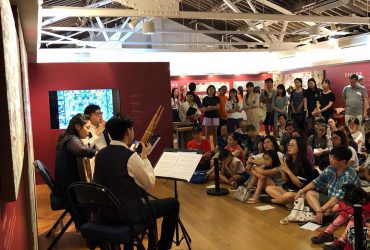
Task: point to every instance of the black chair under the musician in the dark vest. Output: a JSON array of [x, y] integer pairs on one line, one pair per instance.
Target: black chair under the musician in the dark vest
[[86, 199]]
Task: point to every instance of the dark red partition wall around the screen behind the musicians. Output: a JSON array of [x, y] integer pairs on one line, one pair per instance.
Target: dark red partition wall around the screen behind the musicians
[[143, 87]]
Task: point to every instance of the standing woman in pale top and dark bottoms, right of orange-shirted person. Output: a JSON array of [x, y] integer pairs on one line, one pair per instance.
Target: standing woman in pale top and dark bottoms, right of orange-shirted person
[[233, 109]]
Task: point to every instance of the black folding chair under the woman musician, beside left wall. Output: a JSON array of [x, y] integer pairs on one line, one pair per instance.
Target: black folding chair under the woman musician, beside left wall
[[57, 202]]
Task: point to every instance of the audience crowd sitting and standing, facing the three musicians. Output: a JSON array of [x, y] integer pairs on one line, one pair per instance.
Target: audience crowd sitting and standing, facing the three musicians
[[284, 144]]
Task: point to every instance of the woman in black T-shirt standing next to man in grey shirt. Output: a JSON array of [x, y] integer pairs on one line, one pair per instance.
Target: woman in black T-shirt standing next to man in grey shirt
[[326, 102]]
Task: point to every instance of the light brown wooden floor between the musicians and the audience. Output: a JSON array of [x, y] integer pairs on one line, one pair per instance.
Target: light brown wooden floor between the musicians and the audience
[[216, 223]]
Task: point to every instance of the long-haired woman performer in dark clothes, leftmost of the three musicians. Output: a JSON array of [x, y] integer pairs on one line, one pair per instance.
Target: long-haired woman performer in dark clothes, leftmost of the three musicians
[[69, 148]]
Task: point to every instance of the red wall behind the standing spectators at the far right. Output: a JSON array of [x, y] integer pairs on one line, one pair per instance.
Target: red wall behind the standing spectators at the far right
[[338, 76]]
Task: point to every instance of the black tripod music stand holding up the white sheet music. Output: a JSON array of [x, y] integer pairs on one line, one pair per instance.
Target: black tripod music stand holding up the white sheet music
[[185, 235]]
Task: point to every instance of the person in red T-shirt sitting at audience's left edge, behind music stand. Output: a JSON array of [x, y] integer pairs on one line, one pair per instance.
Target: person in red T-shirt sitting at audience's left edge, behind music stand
[[198, 143]]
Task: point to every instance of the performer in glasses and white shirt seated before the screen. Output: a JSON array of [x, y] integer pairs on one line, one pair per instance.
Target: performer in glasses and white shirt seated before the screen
[[99, 137]]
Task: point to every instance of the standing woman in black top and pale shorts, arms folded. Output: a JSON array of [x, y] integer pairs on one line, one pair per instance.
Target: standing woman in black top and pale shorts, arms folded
[[211, 120]]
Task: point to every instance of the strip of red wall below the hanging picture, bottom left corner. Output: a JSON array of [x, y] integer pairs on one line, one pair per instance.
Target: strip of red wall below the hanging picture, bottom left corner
[[13, 225]]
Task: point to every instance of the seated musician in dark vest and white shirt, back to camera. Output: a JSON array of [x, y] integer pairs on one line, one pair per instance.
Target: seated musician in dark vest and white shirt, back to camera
[[129, 176]]
